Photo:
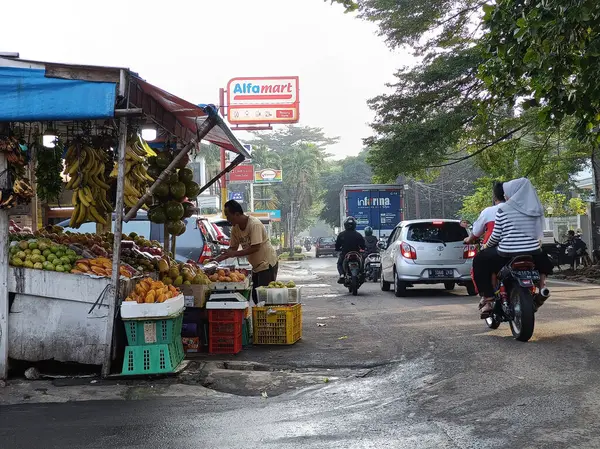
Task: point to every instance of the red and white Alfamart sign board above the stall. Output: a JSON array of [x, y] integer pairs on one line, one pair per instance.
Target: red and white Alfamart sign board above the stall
[[261, 100]]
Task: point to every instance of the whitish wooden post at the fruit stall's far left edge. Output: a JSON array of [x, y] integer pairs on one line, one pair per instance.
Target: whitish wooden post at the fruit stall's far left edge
[[3, 272]]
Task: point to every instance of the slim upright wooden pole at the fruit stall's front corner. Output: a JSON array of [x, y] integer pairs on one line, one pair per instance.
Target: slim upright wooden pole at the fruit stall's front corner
[[113, 300]]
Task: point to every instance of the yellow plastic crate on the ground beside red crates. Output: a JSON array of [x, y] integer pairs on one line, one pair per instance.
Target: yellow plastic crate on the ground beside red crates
[[277, 325]]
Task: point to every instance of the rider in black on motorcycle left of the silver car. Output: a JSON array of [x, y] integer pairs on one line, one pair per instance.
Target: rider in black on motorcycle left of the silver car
[[349, 244]]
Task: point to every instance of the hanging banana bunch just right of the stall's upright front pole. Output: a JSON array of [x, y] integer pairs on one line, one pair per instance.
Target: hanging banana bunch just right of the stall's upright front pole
[[136, 174]]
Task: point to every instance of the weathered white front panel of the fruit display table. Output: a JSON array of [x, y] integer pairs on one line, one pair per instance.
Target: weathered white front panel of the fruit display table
[[59, 316]]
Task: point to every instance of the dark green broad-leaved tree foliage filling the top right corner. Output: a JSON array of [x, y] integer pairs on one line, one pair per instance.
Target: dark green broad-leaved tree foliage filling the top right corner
[[547, 55]]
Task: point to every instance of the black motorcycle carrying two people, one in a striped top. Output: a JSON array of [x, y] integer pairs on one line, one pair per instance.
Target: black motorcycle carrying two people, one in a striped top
[[516, 299]]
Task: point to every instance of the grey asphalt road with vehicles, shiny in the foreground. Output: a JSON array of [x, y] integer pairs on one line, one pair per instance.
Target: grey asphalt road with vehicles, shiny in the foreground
[[436, 378]]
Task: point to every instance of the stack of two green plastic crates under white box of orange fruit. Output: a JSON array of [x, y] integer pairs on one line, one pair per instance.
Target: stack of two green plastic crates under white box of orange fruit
[[154, 345]]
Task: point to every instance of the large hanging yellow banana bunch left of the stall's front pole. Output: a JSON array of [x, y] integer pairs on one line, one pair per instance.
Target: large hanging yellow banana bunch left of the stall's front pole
[[86, 167]]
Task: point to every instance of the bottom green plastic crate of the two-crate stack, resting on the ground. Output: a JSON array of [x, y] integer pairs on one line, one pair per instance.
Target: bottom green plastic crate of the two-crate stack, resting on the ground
[[153, 359]]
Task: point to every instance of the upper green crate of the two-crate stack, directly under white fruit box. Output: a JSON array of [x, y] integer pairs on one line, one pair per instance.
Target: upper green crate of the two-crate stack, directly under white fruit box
[[162, 331]]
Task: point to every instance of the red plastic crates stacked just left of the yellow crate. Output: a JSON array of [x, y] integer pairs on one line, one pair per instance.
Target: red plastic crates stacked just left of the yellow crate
[[225, 328]]
